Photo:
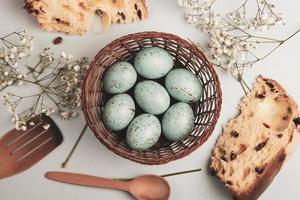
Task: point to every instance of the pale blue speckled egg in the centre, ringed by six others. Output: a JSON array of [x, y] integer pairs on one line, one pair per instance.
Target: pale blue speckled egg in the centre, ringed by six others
[[152, 97]]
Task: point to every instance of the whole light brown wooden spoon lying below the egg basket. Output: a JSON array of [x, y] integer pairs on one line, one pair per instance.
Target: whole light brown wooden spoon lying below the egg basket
[[148, 187]]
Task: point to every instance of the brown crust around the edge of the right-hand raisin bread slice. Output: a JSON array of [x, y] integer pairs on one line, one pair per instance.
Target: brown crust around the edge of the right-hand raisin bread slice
[[263, 180]]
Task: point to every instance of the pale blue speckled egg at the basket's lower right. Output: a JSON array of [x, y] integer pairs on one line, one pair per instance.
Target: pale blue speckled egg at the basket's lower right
[[178, 121]]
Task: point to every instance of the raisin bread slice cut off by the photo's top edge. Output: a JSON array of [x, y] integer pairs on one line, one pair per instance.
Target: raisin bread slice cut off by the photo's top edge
[[75, 16]]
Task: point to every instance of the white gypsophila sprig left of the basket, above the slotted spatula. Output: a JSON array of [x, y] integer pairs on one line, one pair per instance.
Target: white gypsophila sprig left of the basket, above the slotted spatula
[[57, 82]]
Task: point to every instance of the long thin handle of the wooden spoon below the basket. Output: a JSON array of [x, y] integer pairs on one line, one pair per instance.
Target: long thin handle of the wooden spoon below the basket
[[85, 180]]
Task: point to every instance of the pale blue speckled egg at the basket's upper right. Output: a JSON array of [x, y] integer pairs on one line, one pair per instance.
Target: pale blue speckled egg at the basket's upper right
[[183, 85]]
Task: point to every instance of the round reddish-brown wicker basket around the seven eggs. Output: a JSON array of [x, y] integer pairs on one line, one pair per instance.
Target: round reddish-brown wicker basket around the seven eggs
[[207, 110]]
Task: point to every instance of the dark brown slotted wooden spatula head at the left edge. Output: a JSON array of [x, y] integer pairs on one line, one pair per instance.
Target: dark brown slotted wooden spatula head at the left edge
[[20, 150]]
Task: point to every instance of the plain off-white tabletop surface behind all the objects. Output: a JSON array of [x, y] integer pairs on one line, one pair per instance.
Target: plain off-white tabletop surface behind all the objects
[[93, 158]]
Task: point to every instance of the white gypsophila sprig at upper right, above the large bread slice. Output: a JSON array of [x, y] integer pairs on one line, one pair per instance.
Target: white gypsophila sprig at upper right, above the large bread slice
[[234, 36]]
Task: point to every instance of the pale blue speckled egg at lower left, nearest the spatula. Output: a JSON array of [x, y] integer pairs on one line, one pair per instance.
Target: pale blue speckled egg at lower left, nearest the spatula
[[118, 112]]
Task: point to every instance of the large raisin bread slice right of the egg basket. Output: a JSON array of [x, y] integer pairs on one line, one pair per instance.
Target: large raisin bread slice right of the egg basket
[[253, 147]]
